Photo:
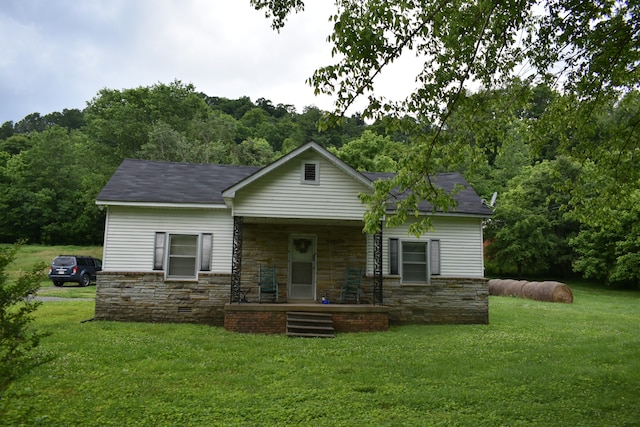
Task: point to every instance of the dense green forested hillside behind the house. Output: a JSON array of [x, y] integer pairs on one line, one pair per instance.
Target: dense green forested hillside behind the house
[[555, 212]]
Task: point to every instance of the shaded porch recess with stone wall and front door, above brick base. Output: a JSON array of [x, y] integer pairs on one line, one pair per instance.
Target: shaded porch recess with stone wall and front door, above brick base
[[311, 259]]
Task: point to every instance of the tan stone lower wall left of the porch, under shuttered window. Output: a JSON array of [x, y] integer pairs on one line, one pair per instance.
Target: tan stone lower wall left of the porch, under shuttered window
[[147, 297]]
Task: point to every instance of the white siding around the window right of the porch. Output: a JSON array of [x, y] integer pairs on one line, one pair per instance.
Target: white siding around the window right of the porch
[[461, 249]]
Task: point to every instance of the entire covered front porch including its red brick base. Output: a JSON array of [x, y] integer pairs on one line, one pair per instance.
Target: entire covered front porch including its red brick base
[[311, 259]]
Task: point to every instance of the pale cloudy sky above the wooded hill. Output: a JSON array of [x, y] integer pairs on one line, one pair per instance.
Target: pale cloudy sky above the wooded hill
[[57, 54]]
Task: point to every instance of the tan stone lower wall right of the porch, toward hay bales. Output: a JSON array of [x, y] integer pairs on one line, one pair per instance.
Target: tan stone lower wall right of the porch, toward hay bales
[[447, 300]]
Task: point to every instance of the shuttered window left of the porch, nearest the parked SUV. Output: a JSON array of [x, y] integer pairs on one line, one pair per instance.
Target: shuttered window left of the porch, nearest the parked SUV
[[184, 254]]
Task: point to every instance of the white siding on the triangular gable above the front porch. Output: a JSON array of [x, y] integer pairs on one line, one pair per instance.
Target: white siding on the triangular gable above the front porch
[[281, 194]]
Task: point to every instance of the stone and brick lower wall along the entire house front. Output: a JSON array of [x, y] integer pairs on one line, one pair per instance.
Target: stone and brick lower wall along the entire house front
[[146, 297]]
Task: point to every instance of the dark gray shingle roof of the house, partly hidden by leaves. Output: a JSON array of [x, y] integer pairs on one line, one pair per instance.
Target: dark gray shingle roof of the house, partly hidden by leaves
[[186, 183]]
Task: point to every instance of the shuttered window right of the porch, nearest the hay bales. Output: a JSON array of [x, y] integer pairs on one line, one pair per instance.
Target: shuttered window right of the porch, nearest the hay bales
[[417, 262]]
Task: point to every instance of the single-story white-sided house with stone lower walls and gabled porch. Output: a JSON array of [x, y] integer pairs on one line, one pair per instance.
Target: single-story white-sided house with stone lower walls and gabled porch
[[184, 243]]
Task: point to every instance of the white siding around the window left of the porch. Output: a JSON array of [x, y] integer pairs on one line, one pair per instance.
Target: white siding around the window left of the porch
[[130, 234]]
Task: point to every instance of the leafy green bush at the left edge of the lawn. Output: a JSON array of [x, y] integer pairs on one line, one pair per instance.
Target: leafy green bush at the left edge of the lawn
[[18, 340]]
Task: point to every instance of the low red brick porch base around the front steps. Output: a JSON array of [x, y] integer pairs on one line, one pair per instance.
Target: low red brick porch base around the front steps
[[270, 318]]
